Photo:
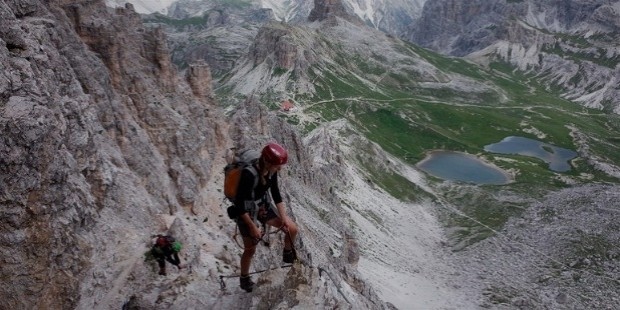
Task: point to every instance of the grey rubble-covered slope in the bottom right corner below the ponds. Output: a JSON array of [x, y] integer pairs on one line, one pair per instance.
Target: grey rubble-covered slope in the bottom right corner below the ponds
[[577, 229]]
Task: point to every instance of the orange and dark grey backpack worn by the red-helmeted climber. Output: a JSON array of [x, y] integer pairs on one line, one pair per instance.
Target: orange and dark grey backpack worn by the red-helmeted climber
[[232, 175]]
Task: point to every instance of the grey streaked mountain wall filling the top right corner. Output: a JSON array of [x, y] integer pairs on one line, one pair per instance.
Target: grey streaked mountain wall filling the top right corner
[[570, 44]]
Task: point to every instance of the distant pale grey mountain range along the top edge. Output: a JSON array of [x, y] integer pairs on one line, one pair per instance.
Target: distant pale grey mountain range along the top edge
[[570, 45]]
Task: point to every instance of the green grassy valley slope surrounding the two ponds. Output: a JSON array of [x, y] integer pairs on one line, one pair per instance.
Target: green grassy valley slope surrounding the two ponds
[[409, 113]]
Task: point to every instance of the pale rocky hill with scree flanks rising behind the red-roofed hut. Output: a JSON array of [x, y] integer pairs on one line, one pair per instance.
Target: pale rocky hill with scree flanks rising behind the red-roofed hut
[[288, 61]]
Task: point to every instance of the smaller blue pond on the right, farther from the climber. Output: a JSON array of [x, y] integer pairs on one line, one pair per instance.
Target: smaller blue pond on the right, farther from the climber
[[558, 158]]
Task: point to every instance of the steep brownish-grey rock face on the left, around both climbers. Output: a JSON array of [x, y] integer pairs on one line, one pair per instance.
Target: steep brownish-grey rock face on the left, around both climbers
[[103, 145]]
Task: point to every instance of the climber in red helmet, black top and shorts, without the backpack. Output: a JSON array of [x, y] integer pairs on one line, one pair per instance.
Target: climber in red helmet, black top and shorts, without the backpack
[[252, 203]]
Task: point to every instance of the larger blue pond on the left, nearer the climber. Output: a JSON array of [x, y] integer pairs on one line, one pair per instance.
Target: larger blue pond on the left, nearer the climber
[[462, 167]]
